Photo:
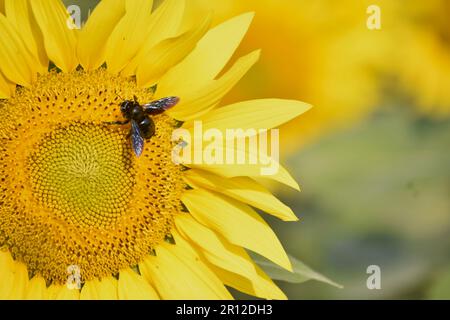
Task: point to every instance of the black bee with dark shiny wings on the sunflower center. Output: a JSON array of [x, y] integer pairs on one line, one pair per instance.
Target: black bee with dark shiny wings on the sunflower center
[[142, 125]]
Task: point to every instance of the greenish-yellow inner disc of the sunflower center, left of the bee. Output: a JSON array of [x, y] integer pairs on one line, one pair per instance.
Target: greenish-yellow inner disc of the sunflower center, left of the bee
[[84, 173]]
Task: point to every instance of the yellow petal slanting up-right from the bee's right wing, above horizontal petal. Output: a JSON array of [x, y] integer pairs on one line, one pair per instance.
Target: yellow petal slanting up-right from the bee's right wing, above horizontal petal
[[196, 103]]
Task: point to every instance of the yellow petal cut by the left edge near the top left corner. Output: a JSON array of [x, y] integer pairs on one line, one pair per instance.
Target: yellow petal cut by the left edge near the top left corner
[[16, 62]]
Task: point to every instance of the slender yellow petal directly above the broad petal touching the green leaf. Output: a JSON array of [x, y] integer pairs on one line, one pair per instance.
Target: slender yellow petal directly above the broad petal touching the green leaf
[[243, 189]]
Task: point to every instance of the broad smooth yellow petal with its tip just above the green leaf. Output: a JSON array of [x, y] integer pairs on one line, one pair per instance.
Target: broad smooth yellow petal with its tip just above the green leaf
[[237, 222]]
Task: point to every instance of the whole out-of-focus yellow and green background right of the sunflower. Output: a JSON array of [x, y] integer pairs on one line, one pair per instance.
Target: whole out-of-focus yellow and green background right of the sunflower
[[372, 156]]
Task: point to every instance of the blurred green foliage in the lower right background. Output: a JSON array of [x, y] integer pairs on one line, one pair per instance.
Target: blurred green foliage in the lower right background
[[375, 194]]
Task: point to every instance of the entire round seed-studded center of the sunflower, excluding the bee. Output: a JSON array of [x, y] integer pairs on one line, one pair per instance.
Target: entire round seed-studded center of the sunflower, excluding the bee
[[72, 191]]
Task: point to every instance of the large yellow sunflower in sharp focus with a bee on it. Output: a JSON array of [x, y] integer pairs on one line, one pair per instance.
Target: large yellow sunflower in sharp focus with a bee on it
[[81, 217]]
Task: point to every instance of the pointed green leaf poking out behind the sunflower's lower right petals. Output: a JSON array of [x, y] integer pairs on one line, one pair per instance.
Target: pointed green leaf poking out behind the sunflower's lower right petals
[[301, 272]]
